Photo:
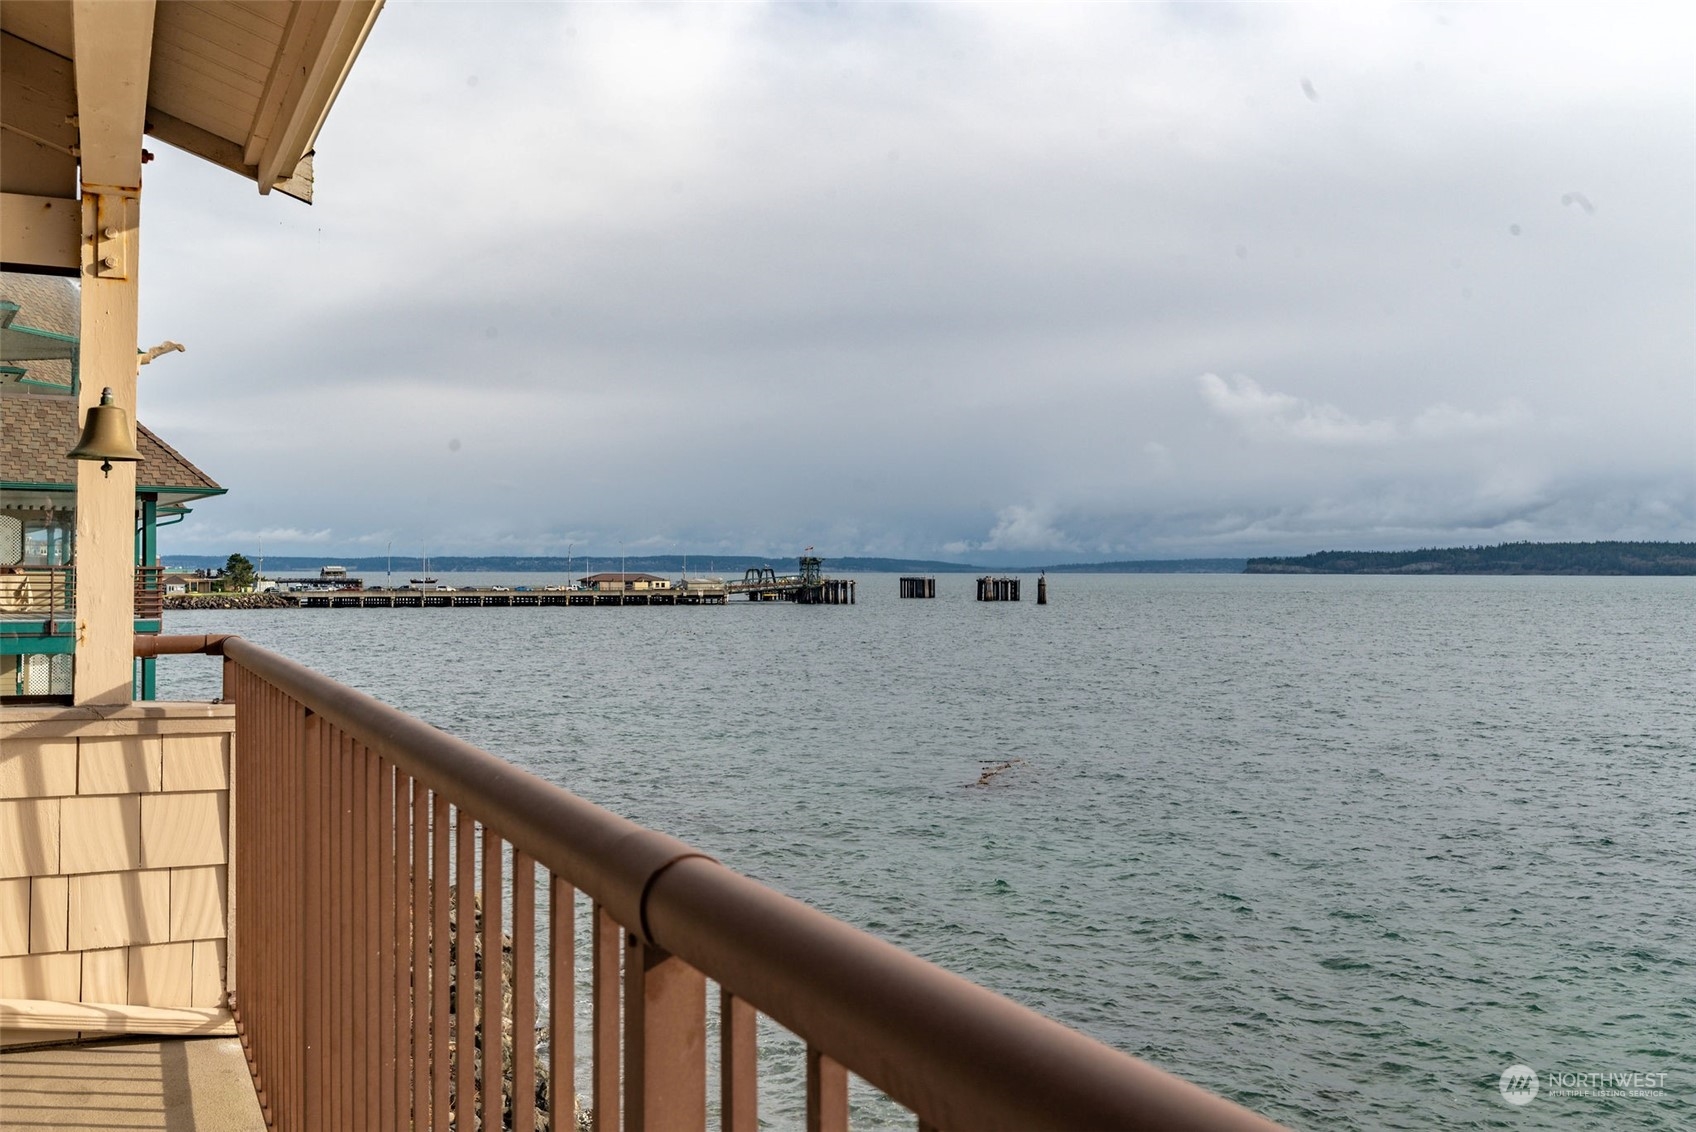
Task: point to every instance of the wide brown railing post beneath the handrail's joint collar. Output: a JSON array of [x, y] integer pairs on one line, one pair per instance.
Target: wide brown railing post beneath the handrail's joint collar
[[666, 1040]]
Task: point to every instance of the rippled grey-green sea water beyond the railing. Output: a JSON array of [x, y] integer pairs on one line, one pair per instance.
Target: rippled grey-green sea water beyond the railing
[[1337, 848]]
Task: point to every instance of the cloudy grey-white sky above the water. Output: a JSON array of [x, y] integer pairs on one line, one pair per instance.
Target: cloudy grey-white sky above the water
[[986, 283]]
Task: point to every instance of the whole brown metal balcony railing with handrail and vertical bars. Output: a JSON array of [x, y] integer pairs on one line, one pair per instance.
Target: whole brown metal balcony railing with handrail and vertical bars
[[359, 838]]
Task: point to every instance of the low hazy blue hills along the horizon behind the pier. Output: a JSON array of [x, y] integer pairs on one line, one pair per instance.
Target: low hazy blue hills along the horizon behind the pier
[[282, 566]]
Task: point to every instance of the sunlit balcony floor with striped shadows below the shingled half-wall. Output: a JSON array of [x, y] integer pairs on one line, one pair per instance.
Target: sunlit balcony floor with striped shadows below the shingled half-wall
[[172, 1085]]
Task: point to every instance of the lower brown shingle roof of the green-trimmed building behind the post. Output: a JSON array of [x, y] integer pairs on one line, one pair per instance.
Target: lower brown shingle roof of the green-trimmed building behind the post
[[38, 430]]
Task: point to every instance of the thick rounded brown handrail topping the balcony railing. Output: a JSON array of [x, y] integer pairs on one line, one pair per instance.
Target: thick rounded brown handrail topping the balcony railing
[[954, 1053]]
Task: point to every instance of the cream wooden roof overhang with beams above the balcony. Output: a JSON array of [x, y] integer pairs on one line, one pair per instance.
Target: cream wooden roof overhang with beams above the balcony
[[242, 84]]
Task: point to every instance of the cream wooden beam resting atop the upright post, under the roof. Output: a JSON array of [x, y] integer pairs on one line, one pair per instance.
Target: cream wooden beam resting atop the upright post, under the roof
[[114, 57]]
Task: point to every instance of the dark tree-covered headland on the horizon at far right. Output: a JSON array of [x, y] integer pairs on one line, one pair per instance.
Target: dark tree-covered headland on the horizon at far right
[[1504, 559]]
